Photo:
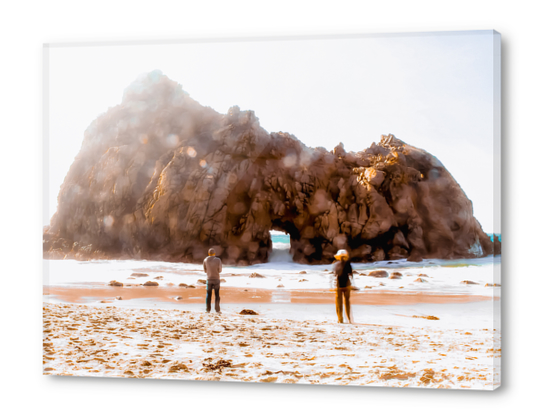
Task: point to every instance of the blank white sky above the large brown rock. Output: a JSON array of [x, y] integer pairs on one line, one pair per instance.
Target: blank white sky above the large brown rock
[[434, 91]]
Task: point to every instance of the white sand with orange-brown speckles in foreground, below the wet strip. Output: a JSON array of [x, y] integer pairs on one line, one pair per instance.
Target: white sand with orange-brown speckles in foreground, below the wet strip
[[179, 344]]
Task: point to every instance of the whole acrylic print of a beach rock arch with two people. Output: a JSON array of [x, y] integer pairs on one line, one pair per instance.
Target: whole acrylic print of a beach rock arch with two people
[[318, 210]]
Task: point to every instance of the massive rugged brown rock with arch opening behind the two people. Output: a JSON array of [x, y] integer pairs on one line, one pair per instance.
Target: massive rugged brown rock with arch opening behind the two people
[[162, 177]]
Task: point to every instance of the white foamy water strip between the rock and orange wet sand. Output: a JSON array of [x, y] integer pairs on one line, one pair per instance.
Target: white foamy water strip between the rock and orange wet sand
[[467, 277]]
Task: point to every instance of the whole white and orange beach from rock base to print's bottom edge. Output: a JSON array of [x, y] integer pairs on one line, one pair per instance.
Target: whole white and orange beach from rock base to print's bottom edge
[[429, 324]]
